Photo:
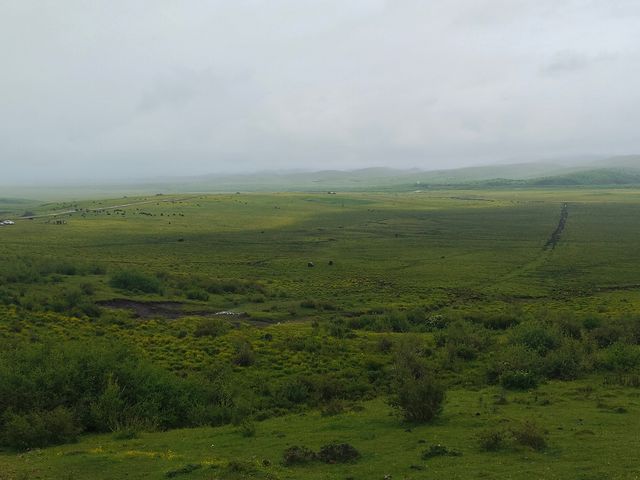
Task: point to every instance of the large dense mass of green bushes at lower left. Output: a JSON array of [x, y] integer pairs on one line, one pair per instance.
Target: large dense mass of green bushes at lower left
[[50, 393]]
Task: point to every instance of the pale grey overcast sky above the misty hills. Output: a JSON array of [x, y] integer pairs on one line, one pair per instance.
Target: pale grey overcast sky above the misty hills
[[116, 88]]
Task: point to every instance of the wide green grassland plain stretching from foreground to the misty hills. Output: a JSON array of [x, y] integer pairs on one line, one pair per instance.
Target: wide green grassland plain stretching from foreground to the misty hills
[[311, 354]]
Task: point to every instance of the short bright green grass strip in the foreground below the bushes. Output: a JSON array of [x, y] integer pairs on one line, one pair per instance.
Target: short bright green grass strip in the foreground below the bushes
[[591, 433]]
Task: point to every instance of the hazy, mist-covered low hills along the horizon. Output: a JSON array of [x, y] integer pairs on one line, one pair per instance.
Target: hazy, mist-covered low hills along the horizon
[[620, 171]]
